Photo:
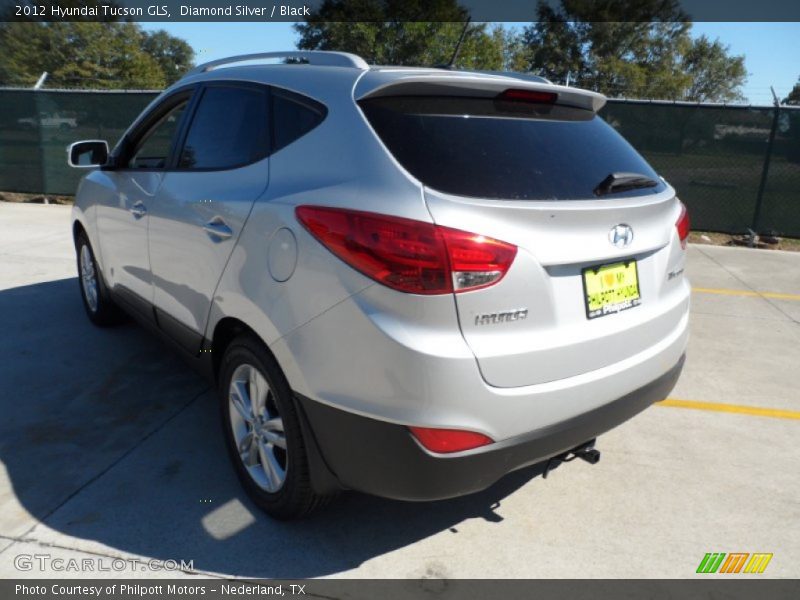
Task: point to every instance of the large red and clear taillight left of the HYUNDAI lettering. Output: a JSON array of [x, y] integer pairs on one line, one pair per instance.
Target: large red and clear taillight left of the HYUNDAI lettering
[[407, 255]]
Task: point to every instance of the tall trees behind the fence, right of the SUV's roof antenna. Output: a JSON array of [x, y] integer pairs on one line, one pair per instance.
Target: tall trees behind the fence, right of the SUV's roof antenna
[[638, 48]]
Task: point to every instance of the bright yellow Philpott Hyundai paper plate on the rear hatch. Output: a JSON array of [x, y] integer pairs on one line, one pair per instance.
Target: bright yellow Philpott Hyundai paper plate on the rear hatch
[[610, 289]]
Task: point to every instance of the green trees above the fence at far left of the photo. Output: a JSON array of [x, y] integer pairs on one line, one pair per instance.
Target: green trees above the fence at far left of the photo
[[86, 54]]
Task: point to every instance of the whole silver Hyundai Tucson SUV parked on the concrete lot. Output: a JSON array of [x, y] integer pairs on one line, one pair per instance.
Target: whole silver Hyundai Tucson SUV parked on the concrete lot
[[404, 281]]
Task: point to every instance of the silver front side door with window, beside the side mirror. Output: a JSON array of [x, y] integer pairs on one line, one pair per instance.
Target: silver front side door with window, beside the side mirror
[[123, 219]]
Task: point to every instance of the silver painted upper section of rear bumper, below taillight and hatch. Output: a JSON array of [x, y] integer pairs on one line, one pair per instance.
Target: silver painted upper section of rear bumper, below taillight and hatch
[[409, 364]]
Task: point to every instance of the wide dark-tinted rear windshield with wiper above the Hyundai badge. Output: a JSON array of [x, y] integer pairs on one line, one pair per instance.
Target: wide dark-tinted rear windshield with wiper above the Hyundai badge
[[488, 148]]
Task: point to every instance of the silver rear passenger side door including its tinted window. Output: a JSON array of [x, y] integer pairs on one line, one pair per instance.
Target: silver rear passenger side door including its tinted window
[[203, 202]]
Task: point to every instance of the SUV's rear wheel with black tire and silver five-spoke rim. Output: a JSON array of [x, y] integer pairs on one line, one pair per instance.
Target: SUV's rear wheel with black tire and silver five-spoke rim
[[265, 444]]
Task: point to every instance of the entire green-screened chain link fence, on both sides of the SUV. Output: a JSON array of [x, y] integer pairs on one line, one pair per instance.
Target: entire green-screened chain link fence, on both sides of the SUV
[[715, 156]]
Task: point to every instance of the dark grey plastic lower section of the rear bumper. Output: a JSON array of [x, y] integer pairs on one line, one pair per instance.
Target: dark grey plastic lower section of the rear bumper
[[383, 458]]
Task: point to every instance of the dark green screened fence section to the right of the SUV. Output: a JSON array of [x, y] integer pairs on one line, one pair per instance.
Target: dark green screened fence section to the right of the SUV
[[735, 167]]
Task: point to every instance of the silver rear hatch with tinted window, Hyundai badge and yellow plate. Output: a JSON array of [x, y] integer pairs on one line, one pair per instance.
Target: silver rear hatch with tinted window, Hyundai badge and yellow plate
[[595, 277]]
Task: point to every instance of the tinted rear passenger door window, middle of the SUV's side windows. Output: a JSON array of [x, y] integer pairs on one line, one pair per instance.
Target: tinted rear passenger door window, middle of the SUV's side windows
[[229, 129]]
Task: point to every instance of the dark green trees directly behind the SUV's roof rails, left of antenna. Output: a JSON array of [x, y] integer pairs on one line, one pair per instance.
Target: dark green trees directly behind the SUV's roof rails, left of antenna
[[402, 32]]
